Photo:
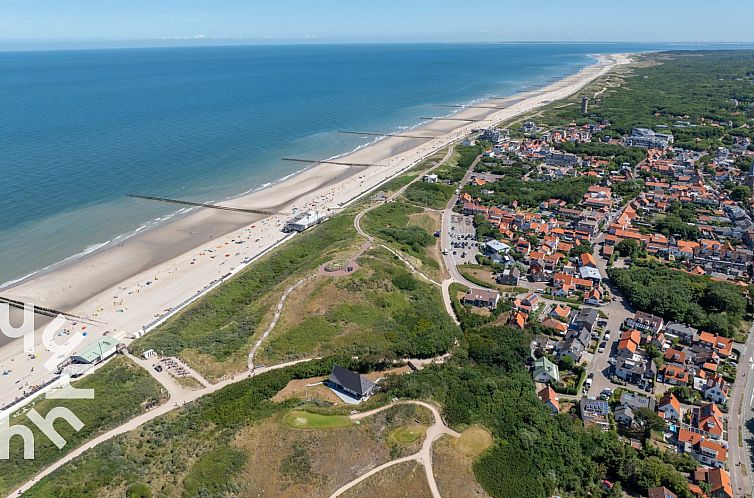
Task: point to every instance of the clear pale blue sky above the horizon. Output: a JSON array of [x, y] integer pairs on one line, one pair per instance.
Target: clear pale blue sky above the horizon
[[114, 22]]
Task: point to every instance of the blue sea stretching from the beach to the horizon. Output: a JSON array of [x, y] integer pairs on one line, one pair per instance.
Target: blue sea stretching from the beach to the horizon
[[79, 129]]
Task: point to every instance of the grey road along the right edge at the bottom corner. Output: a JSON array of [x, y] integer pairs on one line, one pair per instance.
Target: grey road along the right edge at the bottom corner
[[739, 416]]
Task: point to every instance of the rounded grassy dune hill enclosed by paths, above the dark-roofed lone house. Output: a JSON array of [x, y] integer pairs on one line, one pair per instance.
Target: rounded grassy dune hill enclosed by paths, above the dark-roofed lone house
[[379, 309]]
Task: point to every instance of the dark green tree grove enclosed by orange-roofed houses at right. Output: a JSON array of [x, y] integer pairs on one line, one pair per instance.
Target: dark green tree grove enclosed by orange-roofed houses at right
[[679, 296]]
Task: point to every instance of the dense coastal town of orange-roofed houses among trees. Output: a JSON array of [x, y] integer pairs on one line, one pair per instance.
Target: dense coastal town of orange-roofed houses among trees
[[597, 353]]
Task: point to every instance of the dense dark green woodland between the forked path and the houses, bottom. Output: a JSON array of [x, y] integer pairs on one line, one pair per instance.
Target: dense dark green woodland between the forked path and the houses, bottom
[[534, 453]]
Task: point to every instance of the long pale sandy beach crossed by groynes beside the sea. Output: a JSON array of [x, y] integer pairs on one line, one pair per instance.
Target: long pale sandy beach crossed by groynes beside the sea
[[129, 286]]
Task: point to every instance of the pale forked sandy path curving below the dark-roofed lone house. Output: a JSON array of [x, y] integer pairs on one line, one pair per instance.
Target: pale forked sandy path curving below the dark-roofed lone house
[[423, 456]]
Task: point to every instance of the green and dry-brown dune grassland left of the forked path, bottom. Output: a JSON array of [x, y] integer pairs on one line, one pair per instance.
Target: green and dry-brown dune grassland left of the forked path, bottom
[[237, 442]]
